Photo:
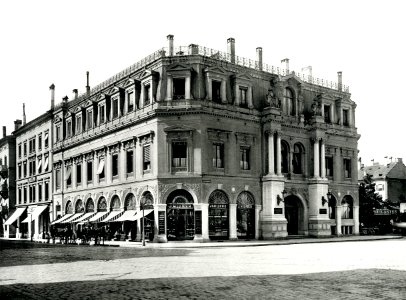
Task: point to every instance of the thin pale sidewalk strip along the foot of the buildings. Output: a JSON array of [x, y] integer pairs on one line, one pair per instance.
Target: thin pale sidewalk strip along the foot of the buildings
[[241, 243]]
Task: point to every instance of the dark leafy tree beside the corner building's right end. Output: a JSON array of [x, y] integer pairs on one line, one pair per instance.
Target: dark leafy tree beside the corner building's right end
[[368, 200]]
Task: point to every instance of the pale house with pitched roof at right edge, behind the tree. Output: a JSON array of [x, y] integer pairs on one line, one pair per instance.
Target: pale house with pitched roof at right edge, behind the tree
[[389, 179]]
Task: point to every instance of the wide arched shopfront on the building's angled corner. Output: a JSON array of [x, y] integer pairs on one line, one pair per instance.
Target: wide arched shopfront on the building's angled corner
[[180, 216]]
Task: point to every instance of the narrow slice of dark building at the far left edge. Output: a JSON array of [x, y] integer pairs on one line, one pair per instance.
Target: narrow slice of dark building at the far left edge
[[7, 182]]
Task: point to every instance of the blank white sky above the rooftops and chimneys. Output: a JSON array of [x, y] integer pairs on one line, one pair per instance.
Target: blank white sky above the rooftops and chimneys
[[44, 42]]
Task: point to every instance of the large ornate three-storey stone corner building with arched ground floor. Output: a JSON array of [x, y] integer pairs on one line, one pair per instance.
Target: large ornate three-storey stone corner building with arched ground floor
[[217, 147]]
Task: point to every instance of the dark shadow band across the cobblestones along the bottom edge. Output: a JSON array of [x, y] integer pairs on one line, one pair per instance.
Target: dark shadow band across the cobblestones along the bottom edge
[[357, 284]]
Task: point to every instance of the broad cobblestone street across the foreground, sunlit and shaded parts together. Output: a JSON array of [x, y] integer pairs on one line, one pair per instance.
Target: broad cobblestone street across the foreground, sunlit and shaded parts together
[[345, 270]]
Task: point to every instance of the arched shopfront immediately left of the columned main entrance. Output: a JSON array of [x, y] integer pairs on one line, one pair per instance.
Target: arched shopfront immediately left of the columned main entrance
[[245, 216]]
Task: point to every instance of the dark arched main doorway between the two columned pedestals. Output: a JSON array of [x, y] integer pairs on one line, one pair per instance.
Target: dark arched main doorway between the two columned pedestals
[[294, 215]]
